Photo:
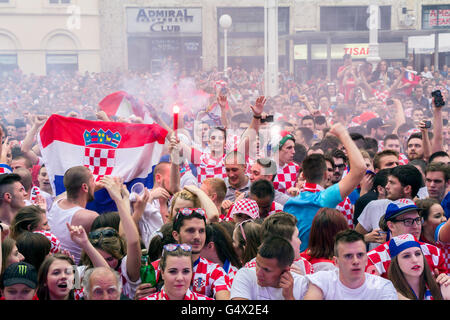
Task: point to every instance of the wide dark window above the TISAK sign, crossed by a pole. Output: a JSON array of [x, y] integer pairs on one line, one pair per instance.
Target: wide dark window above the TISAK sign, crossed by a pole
[[351, 18]]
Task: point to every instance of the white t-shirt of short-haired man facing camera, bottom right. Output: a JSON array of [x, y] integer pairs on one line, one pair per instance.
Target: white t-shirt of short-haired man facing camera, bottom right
[[373, 288]]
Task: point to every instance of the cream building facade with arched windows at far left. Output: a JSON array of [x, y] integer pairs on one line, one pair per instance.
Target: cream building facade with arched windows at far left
[[49, 35]]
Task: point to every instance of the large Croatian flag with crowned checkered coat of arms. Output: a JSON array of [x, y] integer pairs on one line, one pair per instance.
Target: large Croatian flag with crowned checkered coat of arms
[[129, 151]]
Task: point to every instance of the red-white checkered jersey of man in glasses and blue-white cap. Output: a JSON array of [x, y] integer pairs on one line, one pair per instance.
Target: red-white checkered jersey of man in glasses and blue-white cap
[[380, 258]]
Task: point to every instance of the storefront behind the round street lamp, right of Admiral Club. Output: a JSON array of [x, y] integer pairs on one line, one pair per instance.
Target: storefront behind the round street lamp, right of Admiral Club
[[246, 37]]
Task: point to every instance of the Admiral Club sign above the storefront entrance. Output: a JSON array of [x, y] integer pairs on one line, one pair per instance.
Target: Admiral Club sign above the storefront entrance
[[164, 20]]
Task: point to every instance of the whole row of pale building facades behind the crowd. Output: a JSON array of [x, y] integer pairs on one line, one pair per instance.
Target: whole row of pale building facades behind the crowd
[[142, 35]]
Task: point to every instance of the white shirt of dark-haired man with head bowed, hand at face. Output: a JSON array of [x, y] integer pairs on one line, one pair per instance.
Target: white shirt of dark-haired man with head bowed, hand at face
[[245, 285]]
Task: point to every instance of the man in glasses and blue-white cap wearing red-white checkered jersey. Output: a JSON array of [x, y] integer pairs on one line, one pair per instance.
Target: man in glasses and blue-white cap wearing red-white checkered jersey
[[402, 217]]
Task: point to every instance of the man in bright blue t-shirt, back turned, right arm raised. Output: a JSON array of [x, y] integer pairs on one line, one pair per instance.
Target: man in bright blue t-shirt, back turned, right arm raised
[[305, 205]]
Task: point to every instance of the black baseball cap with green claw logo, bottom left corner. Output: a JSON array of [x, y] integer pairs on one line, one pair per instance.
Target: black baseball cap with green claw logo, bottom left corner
[[20, 273]]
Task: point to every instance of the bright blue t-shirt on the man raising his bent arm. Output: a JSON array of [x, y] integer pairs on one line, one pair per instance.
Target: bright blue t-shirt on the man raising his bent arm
[[304, 207]]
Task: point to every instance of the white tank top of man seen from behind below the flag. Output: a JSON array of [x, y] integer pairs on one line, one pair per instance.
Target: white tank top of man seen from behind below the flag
[[57, 218]]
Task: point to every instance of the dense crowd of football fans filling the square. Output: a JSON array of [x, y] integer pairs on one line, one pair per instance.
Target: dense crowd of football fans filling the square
[[334, 189]]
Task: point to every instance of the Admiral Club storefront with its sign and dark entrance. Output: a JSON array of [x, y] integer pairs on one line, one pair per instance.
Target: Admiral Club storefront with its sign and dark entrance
[[158, 37]]
